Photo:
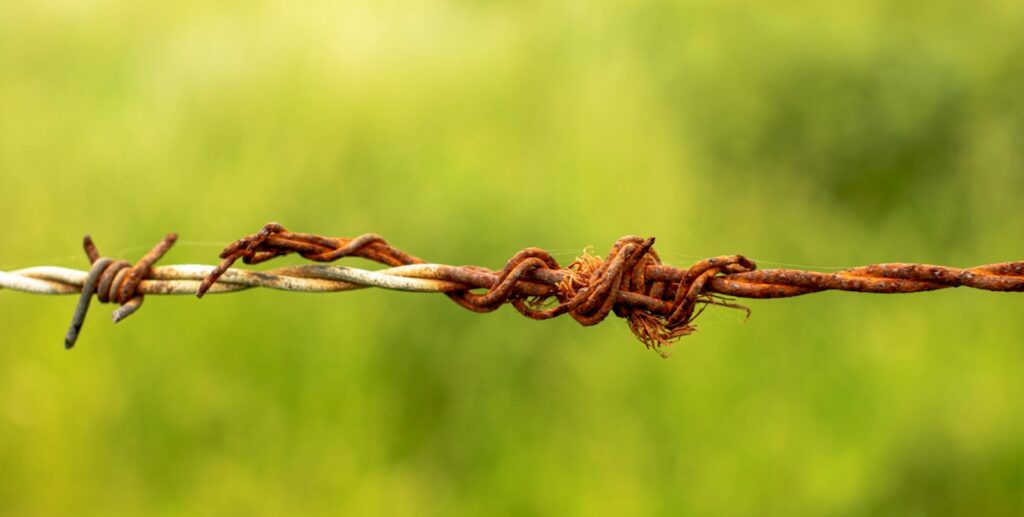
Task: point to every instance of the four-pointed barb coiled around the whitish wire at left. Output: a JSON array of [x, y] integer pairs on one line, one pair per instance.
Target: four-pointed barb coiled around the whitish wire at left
[[114, 281]]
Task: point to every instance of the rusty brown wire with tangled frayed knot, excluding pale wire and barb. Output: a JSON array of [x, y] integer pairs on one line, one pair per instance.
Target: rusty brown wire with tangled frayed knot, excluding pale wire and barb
[[660, 303]]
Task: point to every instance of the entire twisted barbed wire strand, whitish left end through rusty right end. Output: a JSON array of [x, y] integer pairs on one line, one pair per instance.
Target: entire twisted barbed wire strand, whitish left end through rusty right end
[[660, 303]]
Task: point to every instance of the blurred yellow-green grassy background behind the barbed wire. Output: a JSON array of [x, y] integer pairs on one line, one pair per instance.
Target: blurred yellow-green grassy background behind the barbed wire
[[823, 135]]
